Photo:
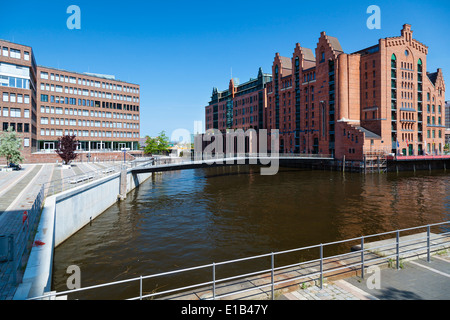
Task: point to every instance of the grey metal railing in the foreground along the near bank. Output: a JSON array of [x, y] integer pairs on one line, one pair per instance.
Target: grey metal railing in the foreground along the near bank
[[274, 283]]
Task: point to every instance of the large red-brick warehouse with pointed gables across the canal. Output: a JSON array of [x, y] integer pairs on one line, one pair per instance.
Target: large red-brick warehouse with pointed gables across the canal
[[379, 100]]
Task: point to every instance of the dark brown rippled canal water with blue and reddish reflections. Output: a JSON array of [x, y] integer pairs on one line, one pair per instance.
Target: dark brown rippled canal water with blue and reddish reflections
[[195, 217]]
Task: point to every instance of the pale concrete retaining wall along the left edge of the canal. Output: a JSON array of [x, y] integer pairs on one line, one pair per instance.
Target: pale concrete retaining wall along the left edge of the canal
[[63, 215]]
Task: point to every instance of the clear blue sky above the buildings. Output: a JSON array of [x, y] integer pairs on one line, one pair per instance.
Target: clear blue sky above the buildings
[[177, 51]]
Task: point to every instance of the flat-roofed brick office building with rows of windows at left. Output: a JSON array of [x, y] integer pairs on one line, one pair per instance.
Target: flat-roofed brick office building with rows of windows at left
[[43, 104]]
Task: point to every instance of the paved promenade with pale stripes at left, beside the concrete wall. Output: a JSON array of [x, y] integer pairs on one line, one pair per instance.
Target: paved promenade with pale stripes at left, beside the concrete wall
[[18, 191]]
